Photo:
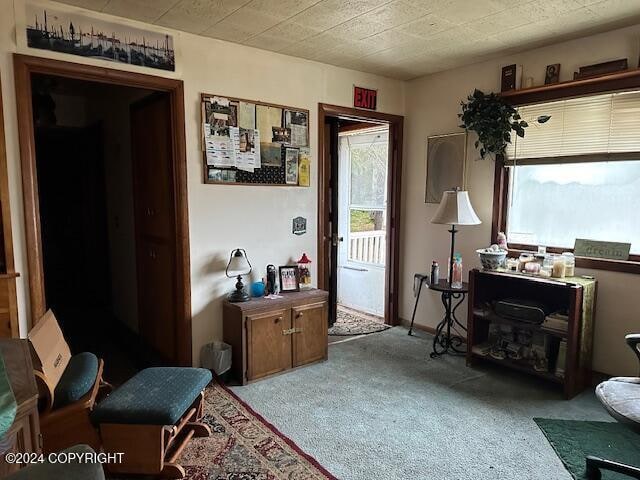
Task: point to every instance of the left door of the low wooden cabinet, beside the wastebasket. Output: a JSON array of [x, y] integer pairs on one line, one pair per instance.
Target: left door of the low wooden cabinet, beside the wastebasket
[[268, 343]]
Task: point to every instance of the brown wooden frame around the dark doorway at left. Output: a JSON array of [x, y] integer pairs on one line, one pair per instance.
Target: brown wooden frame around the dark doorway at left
[[24, 67]]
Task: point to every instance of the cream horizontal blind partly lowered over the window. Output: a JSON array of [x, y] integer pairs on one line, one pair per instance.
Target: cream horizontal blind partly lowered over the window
[[598, 127]]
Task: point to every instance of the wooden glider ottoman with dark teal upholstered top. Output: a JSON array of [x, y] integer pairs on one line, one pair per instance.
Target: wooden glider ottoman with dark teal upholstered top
[[151, 418]]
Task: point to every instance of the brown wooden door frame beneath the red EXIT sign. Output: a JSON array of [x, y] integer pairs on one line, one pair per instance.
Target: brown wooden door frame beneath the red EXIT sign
[[394, 182]]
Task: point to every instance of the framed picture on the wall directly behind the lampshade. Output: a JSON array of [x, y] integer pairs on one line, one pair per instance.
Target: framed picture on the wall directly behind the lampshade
[[446, 164]]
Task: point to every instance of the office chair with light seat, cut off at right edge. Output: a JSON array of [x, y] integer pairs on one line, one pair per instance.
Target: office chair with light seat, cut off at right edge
[[621, 397]]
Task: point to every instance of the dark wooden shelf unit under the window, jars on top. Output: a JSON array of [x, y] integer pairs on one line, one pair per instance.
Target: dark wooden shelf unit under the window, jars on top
[[486, 287]]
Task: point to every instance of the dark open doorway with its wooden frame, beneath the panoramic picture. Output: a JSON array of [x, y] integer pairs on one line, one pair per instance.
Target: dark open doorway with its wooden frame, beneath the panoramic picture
[[105, 208]]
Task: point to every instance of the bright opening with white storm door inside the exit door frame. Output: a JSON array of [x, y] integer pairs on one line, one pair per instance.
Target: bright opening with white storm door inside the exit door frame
[[363, 163]]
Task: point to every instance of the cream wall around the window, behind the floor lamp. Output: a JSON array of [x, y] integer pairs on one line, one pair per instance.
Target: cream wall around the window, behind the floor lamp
[[432, 106]]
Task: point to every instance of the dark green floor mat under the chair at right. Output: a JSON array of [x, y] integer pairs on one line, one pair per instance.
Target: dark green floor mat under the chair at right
[[573, 440]]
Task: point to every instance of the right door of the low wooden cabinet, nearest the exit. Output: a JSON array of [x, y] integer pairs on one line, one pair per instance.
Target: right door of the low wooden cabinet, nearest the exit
[[310, 337]]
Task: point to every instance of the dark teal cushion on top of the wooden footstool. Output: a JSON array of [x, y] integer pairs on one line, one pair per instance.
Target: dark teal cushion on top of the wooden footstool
[[154, 396]]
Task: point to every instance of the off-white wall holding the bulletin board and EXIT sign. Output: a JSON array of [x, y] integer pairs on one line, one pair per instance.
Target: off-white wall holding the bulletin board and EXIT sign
[[220, 217]]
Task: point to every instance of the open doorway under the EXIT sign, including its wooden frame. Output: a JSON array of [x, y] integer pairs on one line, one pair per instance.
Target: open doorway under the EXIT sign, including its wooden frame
[[360, 164]]
